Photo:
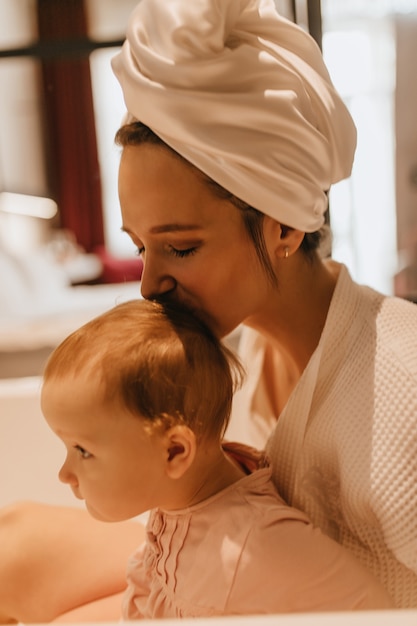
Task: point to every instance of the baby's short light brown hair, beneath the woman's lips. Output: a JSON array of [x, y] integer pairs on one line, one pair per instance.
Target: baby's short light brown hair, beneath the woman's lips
[[159, 360]]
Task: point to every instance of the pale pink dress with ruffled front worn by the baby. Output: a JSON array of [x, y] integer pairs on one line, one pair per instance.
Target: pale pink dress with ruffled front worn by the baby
[[243, 551]]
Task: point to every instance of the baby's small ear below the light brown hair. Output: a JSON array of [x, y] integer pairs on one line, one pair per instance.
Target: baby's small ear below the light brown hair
[[181, 448]]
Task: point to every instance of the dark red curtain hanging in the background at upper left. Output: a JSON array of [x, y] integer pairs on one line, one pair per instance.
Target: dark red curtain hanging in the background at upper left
[[73, 168]]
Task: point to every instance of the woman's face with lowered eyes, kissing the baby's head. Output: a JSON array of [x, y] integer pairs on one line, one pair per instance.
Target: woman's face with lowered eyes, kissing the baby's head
[[194, 246]]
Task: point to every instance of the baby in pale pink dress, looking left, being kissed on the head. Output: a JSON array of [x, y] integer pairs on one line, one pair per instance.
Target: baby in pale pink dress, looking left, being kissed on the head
[[141, 397]]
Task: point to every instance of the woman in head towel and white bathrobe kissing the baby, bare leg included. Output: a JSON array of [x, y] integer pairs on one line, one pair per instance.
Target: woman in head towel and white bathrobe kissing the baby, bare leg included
[[243, 96]]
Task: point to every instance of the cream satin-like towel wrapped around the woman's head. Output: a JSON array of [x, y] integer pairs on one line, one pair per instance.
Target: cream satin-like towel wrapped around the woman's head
[[243, 94]]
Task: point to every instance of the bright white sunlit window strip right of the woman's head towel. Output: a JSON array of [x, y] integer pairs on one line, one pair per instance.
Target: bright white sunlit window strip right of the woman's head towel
[[361, 60]]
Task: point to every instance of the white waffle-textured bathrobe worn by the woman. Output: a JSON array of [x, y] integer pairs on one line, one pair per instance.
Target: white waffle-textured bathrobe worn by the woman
[[344, 449]]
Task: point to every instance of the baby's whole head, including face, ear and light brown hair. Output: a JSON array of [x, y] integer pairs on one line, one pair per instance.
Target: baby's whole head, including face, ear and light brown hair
[[136, 396]]
